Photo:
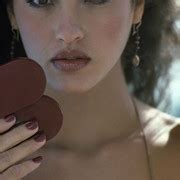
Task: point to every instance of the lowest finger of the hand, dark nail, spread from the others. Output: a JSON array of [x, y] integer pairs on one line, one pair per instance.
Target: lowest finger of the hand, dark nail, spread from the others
[[21, 170]]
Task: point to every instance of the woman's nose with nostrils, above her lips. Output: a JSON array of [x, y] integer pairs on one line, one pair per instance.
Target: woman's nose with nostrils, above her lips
[[68, 31]]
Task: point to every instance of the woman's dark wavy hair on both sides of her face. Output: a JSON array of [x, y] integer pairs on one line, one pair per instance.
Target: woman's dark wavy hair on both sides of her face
[[156, 30]]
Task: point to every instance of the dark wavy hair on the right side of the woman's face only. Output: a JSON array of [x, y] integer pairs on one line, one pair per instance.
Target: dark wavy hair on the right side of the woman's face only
[[158, 39]]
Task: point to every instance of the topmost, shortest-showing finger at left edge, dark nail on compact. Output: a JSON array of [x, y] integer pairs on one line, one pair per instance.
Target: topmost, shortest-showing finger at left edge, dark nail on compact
[[7, 123]]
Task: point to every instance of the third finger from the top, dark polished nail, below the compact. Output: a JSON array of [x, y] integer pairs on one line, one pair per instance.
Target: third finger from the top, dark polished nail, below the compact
[[21, 151]]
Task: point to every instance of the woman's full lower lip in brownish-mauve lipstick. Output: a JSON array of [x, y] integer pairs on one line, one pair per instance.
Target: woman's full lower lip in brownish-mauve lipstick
[[70, 65]]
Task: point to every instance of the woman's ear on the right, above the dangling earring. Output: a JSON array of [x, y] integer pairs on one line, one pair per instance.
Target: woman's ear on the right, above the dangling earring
[[138, 11]]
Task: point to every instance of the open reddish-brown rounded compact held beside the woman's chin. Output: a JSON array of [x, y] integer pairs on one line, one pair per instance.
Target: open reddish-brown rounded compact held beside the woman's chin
[[23, 83]]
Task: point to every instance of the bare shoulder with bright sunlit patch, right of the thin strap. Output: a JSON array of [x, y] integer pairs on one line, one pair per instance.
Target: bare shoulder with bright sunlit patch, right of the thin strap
[[162, 132]]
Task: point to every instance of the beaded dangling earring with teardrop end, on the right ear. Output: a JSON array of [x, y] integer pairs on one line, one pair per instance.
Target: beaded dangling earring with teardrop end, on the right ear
[[136, 59]]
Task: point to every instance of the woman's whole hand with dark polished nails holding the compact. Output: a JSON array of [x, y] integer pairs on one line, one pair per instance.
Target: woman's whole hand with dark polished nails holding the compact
[[16, 144]]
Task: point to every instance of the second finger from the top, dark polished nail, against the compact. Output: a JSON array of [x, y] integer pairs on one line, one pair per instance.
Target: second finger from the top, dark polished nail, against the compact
[[17, 135]]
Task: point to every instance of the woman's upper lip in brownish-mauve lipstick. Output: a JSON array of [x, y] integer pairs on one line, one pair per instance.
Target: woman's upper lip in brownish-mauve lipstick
[[70, 54]]
